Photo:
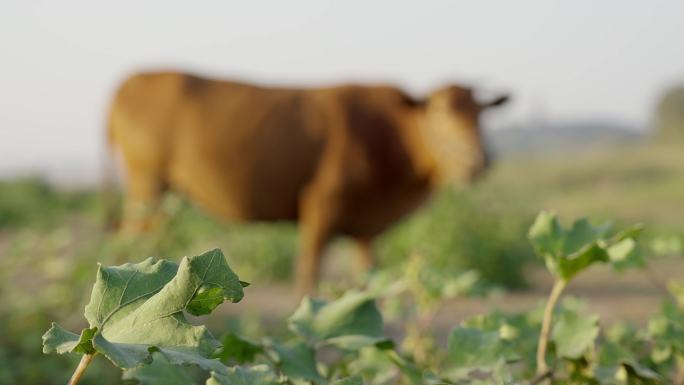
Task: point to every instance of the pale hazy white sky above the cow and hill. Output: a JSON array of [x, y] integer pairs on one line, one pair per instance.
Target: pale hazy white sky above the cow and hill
[[562, 60]]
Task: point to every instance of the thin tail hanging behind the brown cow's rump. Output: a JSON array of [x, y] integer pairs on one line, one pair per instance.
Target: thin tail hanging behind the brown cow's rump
[[108, 188]]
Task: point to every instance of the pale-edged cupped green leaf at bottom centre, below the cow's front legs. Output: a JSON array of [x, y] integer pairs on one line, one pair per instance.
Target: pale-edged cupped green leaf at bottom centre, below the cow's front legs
[[351, 321]]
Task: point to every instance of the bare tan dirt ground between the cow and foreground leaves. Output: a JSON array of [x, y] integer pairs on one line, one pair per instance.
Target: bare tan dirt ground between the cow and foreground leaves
[[627, 296]]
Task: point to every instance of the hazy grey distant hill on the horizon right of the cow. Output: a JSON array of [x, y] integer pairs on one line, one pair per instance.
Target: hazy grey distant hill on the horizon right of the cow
[[560, 137]]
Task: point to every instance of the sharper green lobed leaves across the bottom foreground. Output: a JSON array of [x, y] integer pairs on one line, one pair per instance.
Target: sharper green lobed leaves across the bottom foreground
[[136, 320]]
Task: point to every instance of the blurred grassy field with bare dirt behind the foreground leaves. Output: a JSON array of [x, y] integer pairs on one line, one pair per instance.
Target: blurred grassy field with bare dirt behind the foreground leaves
[[474, 240]]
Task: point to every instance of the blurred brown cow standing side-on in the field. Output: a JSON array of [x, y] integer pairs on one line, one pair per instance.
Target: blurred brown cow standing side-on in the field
[[340, 160]]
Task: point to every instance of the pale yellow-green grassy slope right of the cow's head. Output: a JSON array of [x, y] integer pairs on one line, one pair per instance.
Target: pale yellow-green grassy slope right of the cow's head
[[639, 182]]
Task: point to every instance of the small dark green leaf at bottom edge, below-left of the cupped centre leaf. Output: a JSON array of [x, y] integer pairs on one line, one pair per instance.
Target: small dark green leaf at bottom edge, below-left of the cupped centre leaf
[[295, 360]]
